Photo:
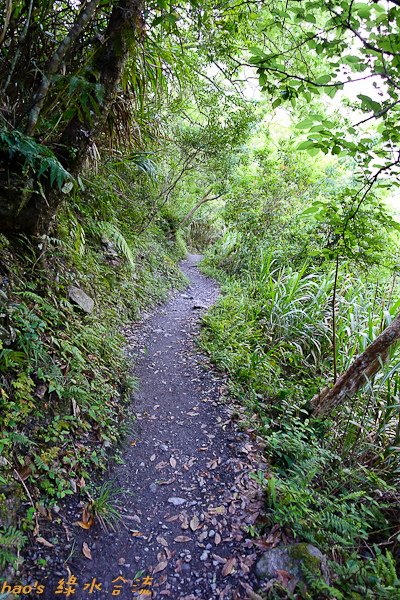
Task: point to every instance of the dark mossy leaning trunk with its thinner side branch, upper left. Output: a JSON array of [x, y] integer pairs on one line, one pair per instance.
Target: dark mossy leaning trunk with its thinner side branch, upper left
[[29, 203]]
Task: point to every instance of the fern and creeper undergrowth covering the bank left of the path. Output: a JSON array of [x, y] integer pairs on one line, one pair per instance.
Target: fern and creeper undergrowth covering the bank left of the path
[[65, 382]]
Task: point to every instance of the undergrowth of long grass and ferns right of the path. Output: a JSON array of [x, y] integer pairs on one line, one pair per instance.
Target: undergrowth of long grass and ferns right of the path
[[332, 481]]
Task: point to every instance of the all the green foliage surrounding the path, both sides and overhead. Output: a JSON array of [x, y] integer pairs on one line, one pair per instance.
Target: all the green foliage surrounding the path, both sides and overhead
[[131, 131]]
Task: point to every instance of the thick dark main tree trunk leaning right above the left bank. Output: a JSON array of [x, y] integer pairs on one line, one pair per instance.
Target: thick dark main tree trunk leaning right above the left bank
[[29, 207]]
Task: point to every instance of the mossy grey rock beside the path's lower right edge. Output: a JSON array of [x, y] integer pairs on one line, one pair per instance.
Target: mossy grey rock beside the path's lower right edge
[[291, 559]]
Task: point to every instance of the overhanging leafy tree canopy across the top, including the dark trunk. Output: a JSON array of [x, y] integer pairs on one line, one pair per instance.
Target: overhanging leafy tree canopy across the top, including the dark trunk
[[96, 75]]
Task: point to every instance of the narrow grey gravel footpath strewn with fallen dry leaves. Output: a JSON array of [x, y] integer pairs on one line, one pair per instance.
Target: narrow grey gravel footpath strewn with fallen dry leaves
[[188, 498]]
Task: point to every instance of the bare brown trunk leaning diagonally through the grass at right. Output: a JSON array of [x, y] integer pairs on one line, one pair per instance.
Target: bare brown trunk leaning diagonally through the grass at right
[[363, 368]]
